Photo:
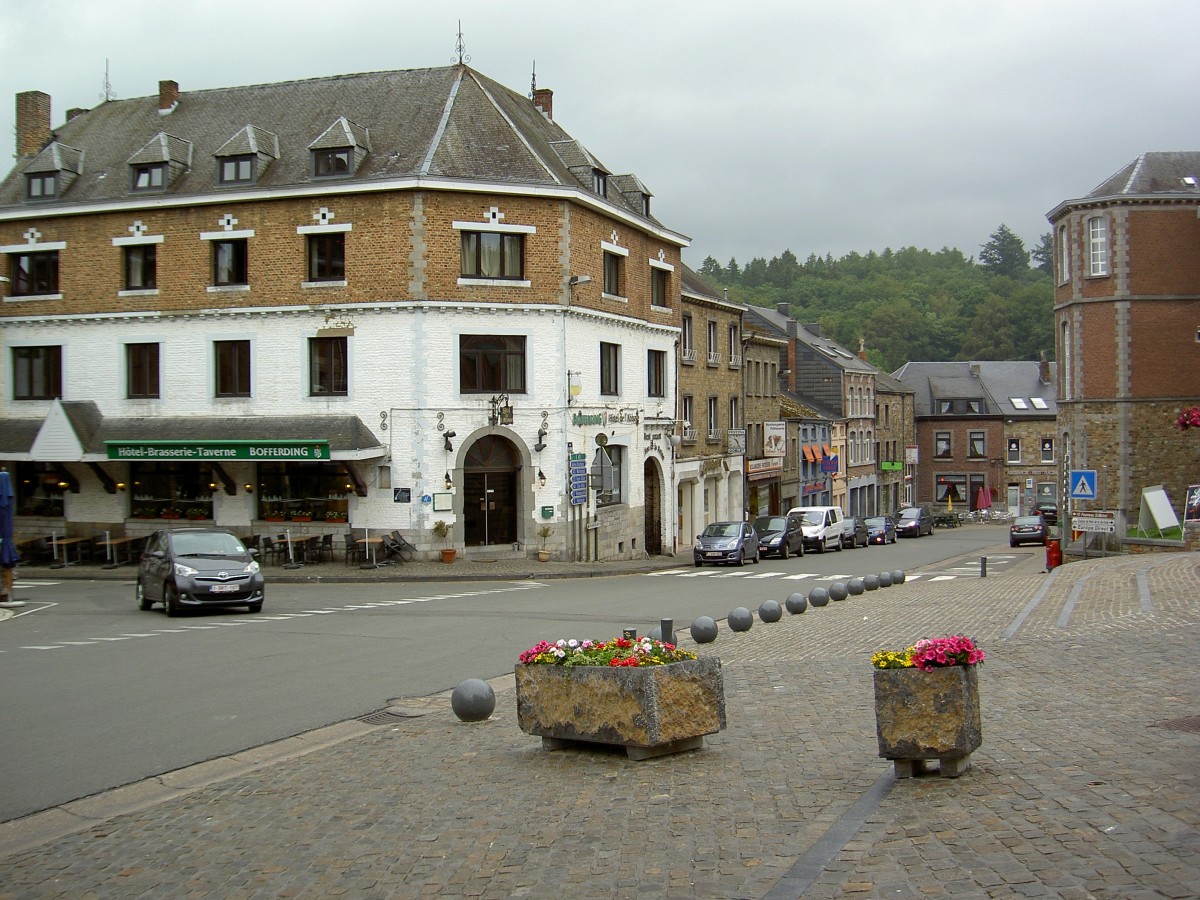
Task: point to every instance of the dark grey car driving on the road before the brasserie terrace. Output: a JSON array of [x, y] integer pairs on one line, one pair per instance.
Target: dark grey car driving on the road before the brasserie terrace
[[196, 568]]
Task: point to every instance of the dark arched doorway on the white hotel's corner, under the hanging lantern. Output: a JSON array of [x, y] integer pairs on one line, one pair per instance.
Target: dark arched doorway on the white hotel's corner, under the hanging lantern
[[490, 493]]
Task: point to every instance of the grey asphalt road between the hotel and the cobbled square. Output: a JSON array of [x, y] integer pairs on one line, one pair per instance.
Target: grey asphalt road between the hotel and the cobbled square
[[98, 694]]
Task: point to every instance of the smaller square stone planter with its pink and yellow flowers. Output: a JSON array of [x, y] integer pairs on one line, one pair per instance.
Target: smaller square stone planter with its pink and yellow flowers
[[927, 705]]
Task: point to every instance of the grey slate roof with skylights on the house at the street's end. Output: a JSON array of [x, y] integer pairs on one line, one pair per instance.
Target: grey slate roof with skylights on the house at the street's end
[[998, 383]]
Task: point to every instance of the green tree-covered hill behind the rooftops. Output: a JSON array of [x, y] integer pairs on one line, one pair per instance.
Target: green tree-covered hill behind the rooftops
[[913, 304]]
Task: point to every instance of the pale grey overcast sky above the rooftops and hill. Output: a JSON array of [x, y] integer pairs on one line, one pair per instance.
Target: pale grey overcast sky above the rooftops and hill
[[760, 127]]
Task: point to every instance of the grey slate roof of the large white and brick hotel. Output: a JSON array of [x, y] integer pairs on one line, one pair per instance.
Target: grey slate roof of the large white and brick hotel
[[449, 123]]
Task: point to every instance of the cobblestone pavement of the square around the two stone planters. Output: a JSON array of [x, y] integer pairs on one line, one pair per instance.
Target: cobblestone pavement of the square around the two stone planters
[[1088, 783]]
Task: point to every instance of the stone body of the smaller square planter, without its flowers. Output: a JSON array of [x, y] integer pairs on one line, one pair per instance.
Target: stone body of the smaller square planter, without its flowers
[[928, 716]]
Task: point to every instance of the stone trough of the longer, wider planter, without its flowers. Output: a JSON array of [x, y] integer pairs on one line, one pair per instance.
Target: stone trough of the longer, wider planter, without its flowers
[[651, 711]]
